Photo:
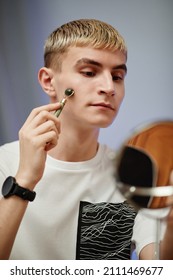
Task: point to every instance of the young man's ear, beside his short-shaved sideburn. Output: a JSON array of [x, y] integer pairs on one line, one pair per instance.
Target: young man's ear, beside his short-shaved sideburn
[[45, 77]]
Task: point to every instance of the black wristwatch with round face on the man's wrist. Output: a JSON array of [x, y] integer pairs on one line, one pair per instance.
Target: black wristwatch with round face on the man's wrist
[[10, 187]]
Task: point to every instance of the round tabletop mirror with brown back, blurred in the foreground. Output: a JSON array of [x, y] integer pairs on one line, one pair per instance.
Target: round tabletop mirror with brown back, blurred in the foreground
[[145, 166]]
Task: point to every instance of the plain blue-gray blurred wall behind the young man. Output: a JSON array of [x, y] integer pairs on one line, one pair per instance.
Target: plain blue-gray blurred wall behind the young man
[[147, 27]]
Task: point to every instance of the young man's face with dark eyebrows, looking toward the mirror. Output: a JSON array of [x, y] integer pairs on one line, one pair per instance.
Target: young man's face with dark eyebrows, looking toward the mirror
[[97, 77]]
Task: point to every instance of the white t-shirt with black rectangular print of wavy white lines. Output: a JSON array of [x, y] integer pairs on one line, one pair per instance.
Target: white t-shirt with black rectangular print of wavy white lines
[[78, 212]]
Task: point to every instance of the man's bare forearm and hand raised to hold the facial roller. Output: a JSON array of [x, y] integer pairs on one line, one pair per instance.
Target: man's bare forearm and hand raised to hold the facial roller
[[38, 135]]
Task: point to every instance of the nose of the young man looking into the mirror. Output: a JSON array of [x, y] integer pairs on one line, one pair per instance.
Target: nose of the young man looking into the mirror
[[108, 85]]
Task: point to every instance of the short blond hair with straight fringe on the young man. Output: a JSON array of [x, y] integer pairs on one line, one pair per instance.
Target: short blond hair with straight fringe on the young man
[[81, 33]]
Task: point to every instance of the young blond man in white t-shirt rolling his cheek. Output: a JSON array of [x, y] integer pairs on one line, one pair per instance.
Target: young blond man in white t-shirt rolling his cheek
[[78, 213]]
